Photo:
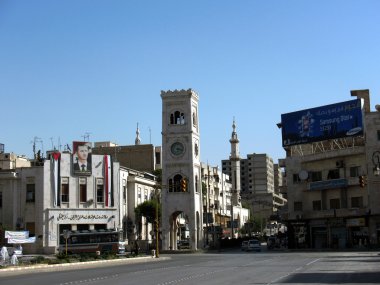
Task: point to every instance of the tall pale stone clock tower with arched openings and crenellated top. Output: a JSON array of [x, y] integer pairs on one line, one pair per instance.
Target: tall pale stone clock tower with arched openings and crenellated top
[[181, 169]]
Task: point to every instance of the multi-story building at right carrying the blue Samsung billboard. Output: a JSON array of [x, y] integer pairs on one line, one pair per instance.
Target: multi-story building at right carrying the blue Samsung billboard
[[328, 205]]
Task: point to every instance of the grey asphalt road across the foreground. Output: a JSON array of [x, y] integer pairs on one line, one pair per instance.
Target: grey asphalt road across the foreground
[[233, 267]]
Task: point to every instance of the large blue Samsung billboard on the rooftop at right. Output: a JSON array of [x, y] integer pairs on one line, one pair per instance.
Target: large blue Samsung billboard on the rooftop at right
[[333, 121]]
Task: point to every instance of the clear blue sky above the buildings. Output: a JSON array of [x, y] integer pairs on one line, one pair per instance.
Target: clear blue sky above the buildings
[[73, 67]]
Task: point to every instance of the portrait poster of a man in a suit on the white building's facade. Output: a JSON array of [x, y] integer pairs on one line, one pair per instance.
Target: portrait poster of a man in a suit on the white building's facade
[[82, 158]]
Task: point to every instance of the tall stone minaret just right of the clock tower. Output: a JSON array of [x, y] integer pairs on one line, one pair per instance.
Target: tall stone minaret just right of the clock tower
[[235, 167]]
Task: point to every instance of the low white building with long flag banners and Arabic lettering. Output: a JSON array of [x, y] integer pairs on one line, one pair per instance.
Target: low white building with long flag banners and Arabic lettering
[[53, 196]]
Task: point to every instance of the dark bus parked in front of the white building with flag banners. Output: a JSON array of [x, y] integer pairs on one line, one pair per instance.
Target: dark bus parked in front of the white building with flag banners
[[91, 241]]
